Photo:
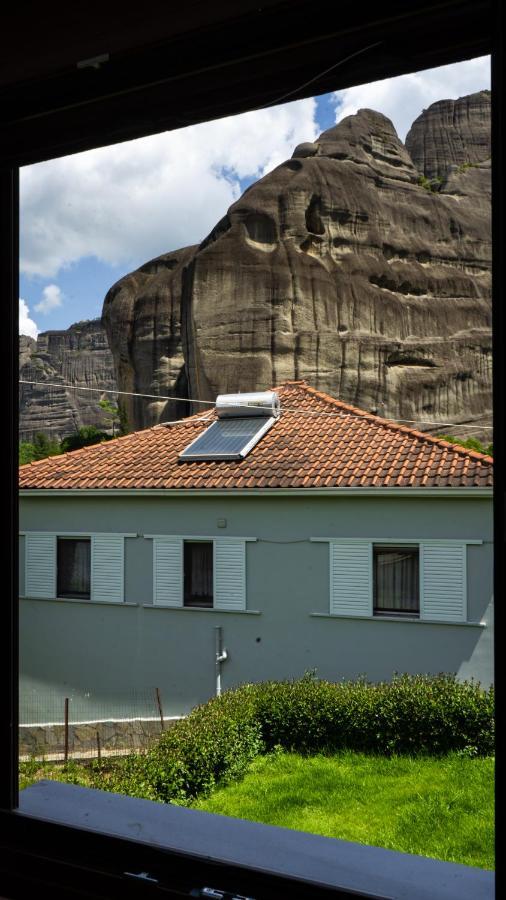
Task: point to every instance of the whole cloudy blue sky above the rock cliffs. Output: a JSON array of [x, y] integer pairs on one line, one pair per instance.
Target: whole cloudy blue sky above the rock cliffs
[[88, 219]]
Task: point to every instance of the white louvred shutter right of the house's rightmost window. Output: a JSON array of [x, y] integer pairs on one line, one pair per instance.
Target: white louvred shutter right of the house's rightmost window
[[443, 581]]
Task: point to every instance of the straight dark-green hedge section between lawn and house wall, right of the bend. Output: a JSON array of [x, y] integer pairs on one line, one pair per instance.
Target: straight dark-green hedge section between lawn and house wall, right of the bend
[[410, 714]]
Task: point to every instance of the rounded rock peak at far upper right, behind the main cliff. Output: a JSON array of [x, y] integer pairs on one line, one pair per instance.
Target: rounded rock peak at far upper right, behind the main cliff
[[451, 132]]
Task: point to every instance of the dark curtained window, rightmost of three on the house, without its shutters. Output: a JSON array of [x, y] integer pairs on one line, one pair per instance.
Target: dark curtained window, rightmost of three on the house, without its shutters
[[396, 581]]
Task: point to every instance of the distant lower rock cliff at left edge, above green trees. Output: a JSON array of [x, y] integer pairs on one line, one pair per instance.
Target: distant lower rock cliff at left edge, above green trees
[[79, 356]]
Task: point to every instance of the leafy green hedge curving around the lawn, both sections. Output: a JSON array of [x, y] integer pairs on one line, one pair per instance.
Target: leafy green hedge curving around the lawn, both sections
[[217, 741]]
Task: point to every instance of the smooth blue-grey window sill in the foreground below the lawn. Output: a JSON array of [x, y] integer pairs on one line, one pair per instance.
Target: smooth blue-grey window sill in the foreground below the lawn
[[262, 849]]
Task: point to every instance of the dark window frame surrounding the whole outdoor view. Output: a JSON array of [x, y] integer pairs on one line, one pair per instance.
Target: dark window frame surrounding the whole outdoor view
[[30, 145]]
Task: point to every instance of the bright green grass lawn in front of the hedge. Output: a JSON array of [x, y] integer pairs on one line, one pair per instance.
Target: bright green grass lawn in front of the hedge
[[439, 807]]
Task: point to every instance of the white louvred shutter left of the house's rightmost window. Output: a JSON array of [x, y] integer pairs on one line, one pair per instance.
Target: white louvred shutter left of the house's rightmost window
[[351, 578]]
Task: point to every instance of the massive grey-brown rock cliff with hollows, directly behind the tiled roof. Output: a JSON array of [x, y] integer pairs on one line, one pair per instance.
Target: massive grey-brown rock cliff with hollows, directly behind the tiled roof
[[341, 267]]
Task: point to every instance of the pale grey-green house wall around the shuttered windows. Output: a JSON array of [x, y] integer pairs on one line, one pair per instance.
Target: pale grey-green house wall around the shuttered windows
[[107, 651]]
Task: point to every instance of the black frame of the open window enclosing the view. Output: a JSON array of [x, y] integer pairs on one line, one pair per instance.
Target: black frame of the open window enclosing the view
[[50, 122]]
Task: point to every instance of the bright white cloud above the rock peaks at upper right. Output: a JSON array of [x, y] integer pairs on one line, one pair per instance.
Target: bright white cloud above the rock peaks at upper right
[[402, 99]]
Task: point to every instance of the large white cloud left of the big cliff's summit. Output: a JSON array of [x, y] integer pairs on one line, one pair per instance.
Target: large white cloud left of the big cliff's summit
[[133, 201]]
